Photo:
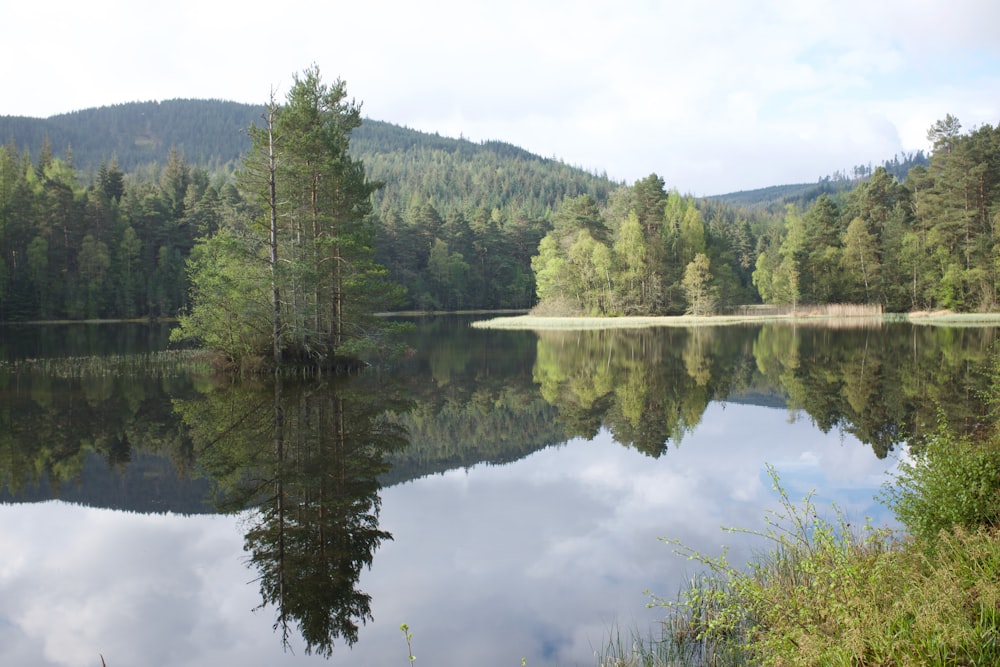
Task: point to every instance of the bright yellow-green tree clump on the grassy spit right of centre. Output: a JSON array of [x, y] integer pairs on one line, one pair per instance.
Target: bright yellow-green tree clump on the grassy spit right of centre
[[631, 257]]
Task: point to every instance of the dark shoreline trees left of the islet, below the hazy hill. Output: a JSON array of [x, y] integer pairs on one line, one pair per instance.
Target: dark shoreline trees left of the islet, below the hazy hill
[[115, 247]]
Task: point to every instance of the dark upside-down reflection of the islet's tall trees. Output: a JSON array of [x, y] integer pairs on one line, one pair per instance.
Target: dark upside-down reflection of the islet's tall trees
[[304, 459]]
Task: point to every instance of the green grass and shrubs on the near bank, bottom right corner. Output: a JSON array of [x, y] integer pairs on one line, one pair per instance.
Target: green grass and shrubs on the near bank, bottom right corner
[[831, 593]]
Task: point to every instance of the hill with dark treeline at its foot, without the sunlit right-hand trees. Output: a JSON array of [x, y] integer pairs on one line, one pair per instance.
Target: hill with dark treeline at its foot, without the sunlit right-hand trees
[[87, 234]]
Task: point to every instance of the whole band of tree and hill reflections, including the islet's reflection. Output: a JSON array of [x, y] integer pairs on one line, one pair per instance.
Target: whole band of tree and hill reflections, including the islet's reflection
[[303, 461]]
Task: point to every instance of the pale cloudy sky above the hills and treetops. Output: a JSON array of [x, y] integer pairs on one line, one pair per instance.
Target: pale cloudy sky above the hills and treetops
[[714, 96]]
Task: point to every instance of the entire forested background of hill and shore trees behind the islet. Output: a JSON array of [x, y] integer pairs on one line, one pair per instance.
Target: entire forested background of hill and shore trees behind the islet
[[99, 210]]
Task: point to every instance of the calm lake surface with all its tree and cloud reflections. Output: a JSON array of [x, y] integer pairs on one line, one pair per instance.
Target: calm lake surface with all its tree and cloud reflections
[[502, 493]]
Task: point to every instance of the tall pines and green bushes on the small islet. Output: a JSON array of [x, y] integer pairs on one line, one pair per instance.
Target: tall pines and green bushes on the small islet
[[313, 202]]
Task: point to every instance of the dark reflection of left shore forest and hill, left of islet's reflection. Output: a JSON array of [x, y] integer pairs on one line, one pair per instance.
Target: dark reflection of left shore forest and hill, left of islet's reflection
[[103, 438]]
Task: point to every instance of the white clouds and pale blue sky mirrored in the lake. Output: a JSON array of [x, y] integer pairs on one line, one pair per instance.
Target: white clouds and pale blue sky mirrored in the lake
[[536, 559]]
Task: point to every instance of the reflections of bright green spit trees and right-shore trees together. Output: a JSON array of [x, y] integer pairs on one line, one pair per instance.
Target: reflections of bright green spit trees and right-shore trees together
[[649, 387]]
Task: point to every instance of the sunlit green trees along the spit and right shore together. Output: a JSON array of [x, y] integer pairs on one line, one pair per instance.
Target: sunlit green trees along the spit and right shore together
[[923, 243]]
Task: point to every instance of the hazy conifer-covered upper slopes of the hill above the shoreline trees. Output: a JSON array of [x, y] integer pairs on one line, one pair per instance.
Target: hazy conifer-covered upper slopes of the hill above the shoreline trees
[[453, 173]]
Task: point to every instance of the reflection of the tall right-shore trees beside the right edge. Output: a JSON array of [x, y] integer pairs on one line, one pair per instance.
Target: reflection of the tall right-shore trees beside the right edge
[[886, 385]]
